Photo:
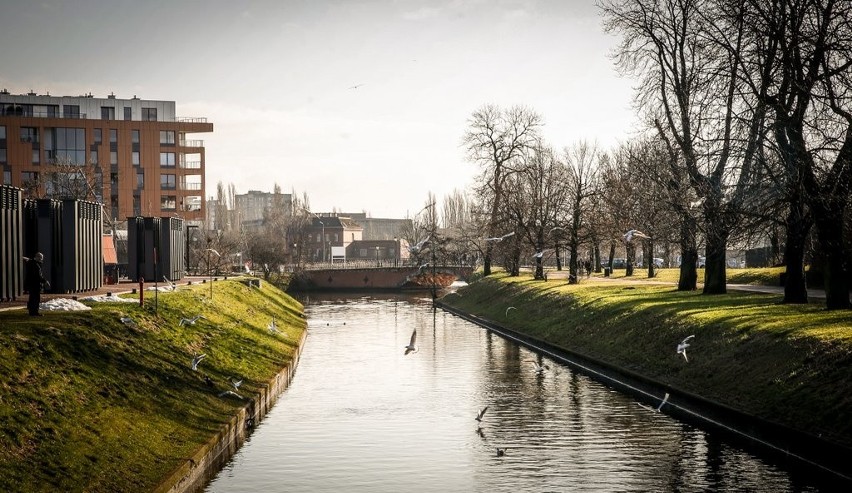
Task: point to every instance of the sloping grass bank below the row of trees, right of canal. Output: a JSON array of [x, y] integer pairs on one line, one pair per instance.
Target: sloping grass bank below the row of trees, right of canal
[[790, 364]]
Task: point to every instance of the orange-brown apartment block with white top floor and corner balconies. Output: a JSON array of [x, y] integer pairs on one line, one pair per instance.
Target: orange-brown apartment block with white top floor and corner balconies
[[133, 155]]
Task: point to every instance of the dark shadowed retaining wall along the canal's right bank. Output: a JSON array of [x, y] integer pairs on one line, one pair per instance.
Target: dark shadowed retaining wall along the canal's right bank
[[800, 449]]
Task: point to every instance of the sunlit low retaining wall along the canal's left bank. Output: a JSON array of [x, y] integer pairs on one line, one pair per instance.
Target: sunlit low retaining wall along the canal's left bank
[[196, 471]]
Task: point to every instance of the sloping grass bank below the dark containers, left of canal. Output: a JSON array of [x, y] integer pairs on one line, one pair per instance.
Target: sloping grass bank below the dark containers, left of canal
[[89, 403]]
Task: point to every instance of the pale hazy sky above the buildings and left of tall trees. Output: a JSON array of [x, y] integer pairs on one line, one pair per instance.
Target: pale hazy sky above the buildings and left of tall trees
[[361, 105]]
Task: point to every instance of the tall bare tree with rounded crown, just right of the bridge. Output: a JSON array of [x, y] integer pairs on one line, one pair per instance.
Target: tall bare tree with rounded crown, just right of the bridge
[[495, 140]]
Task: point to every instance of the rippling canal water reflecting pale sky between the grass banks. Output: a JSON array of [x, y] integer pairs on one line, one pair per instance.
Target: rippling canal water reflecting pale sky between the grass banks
[[362, 416]]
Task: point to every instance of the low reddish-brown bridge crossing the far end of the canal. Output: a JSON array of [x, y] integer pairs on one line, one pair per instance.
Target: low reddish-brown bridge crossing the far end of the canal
[[359, 277]]
